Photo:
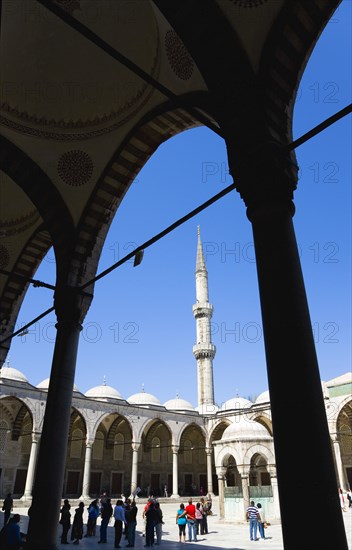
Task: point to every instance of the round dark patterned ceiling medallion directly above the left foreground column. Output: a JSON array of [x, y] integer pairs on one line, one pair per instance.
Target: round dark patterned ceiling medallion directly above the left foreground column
[[75, 167]]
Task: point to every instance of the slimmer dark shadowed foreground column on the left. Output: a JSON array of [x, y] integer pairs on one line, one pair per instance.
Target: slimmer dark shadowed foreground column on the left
[[48, 483]]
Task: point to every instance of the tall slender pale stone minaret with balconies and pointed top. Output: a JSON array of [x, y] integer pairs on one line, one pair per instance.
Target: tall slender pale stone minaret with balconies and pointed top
[[204, 350]]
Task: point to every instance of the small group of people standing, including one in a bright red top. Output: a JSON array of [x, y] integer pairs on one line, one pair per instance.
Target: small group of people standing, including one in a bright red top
[[194, 517]]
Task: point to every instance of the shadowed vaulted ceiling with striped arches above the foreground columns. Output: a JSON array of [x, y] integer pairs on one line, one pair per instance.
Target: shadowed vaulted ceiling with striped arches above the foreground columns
[[91, 88]]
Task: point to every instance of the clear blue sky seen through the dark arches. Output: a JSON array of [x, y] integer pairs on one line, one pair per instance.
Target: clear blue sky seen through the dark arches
[[140, 328]]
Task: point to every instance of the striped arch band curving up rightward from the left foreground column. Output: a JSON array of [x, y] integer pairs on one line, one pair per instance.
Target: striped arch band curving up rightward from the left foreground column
[[129, 158]]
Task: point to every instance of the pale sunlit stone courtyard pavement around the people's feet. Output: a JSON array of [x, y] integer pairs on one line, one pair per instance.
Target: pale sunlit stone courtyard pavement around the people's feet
[[221, 534]]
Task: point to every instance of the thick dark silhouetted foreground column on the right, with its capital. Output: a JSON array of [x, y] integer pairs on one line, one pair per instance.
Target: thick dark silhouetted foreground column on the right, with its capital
[[294, 380]]
